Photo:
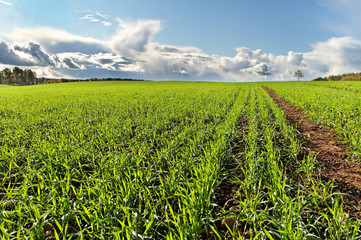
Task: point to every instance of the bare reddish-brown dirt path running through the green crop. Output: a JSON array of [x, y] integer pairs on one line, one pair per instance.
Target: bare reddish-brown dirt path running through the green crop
[[331, 155]]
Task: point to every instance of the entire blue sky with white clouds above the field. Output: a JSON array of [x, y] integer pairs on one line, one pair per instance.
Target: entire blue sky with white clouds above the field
[[212, 40]]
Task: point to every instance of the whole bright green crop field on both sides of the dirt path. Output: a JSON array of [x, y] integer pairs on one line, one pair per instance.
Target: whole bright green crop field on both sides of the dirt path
[[150, 160]]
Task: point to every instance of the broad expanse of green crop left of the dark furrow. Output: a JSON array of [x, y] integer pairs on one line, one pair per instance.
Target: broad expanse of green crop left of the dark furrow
[[112, 162]]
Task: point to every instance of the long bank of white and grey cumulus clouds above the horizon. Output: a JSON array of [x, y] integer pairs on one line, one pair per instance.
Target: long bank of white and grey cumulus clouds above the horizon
[[131, 52]]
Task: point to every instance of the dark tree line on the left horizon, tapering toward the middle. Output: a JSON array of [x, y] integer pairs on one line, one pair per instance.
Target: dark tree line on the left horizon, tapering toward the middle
[[18, 76]]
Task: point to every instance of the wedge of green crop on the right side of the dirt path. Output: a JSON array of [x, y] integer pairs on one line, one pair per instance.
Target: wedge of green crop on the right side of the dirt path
[[337, 108]]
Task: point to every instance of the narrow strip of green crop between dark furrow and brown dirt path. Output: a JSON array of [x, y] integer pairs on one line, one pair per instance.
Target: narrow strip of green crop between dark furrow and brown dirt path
[[280, 194]]
